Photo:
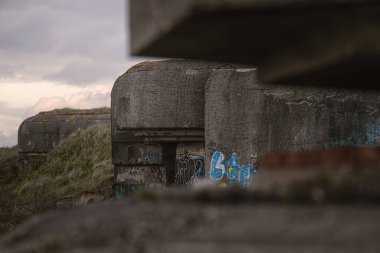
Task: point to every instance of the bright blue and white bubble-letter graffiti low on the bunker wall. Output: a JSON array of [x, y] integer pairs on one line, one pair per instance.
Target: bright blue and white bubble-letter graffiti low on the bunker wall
[[242, 176]]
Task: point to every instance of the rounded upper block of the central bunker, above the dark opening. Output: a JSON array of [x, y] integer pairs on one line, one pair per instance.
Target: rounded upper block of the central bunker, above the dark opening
[[160, 95]]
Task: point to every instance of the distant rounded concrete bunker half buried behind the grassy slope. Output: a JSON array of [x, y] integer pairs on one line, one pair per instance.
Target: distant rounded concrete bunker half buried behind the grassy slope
[[37, 135]]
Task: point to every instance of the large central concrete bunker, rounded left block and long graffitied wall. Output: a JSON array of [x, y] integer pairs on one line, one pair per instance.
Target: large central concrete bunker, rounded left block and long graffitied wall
[[169, 117]]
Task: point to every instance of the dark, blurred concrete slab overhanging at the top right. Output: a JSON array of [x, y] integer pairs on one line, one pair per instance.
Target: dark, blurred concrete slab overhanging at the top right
[[328, 43]]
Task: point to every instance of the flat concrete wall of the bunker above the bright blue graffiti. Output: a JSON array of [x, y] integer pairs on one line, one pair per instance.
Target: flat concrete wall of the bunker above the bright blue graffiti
[[250, 118]]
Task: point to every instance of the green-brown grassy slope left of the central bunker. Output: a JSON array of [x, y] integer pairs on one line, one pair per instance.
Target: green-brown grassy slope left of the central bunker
[[79, 163]]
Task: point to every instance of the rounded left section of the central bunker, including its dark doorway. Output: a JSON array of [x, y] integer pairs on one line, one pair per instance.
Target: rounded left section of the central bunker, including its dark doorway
[[157, 118]]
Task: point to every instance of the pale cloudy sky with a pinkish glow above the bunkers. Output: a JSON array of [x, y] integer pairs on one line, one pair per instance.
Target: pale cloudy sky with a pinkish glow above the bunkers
[[58, 53]]
